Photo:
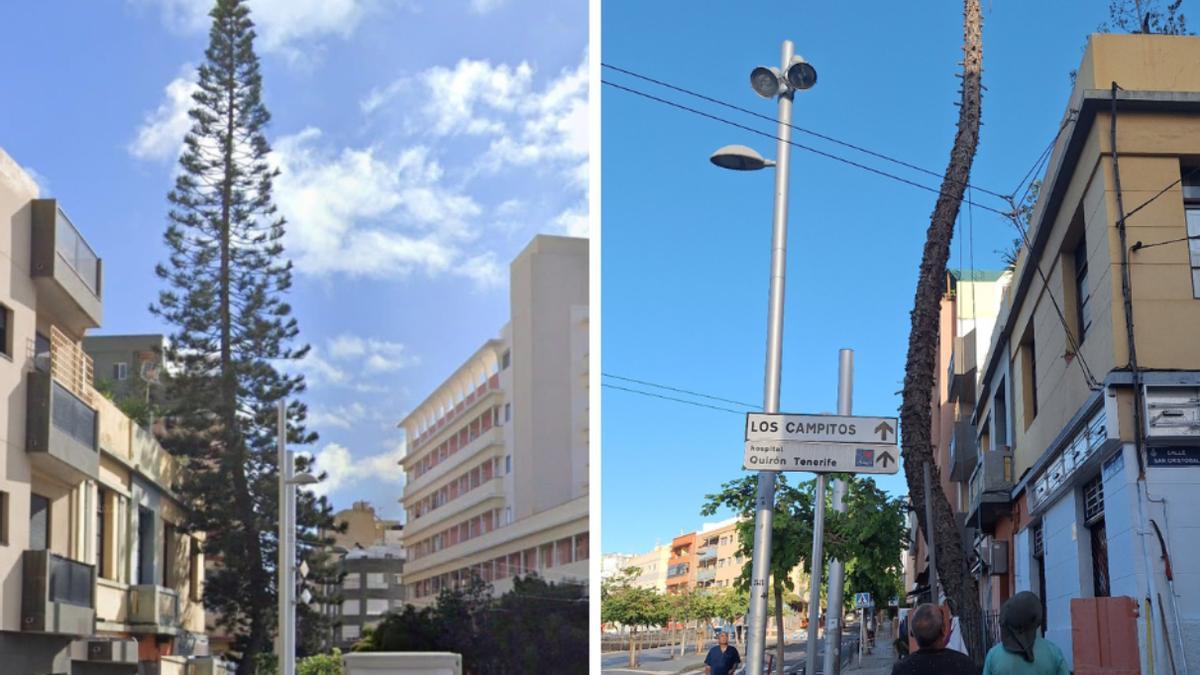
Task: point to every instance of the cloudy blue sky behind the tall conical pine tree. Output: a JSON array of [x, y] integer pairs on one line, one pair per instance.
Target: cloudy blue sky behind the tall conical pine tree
[[423, 144]]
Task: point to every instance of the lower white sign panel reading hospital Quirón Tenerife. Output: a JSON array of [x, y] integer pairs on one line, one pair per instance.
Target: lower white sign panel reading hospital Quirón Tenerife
[[821, 458]]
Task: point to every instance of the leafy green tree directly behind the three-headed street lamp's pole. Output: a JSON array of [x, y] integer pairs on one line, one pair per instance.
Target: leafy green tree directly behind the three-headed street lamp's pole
[[790, 542]]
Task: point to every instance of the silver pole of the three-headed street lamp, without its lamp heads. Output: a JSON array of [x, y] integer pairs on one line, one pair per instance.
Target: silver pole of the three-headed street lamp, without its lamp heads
[[765, 505]]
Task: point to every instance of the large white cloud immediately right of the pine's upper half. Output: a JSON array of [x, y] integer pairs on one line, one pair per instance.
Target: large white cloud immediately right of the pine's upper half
[[361, 213]]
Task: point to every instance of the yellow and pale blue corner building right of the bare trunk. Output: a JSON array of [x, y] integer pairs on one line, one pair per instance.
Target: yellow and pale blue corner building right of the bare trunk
[[1088, 425]]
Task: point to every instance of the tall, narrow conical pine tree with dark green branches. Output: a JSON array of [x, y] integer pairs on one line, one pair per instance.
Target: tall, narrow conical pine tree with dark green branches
[[226, 279]]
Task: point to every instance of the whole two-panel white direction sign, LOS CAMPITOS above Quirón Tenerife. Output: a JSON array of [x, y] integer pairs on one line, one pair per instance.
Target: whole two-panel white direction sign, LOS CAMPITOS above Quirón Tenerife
[[821, 444]]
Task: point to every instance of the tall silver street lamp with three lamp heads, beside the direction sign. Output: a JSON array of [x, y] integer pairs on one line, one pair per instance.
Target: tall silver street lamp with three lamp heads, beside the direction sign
[[795, 75]]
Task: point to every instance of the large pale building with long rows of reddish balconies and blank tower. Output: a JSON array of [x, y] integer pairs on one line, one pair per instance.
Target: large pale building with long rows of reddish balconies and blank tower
[[497, 461]]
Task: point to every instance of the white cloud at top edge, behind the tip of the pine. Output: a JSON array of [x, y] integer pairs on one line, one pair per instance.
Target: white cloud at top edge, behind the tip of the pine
[[280, 25]]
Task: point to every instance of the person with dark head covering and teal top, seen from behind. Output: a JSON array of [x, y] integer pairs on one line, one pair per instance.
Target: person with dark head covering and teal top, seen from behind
[[1022, 650]]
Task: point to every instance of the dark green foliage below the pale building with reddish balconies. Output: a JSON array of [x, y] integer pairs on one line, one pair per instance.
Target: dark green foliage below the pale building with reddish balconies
[[537, 628]]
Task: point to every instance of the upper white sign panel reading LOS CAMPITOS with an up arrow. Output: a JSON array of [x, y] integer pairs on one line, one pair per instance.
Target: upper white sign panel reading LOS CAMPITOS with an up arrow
[[821, 428]]
